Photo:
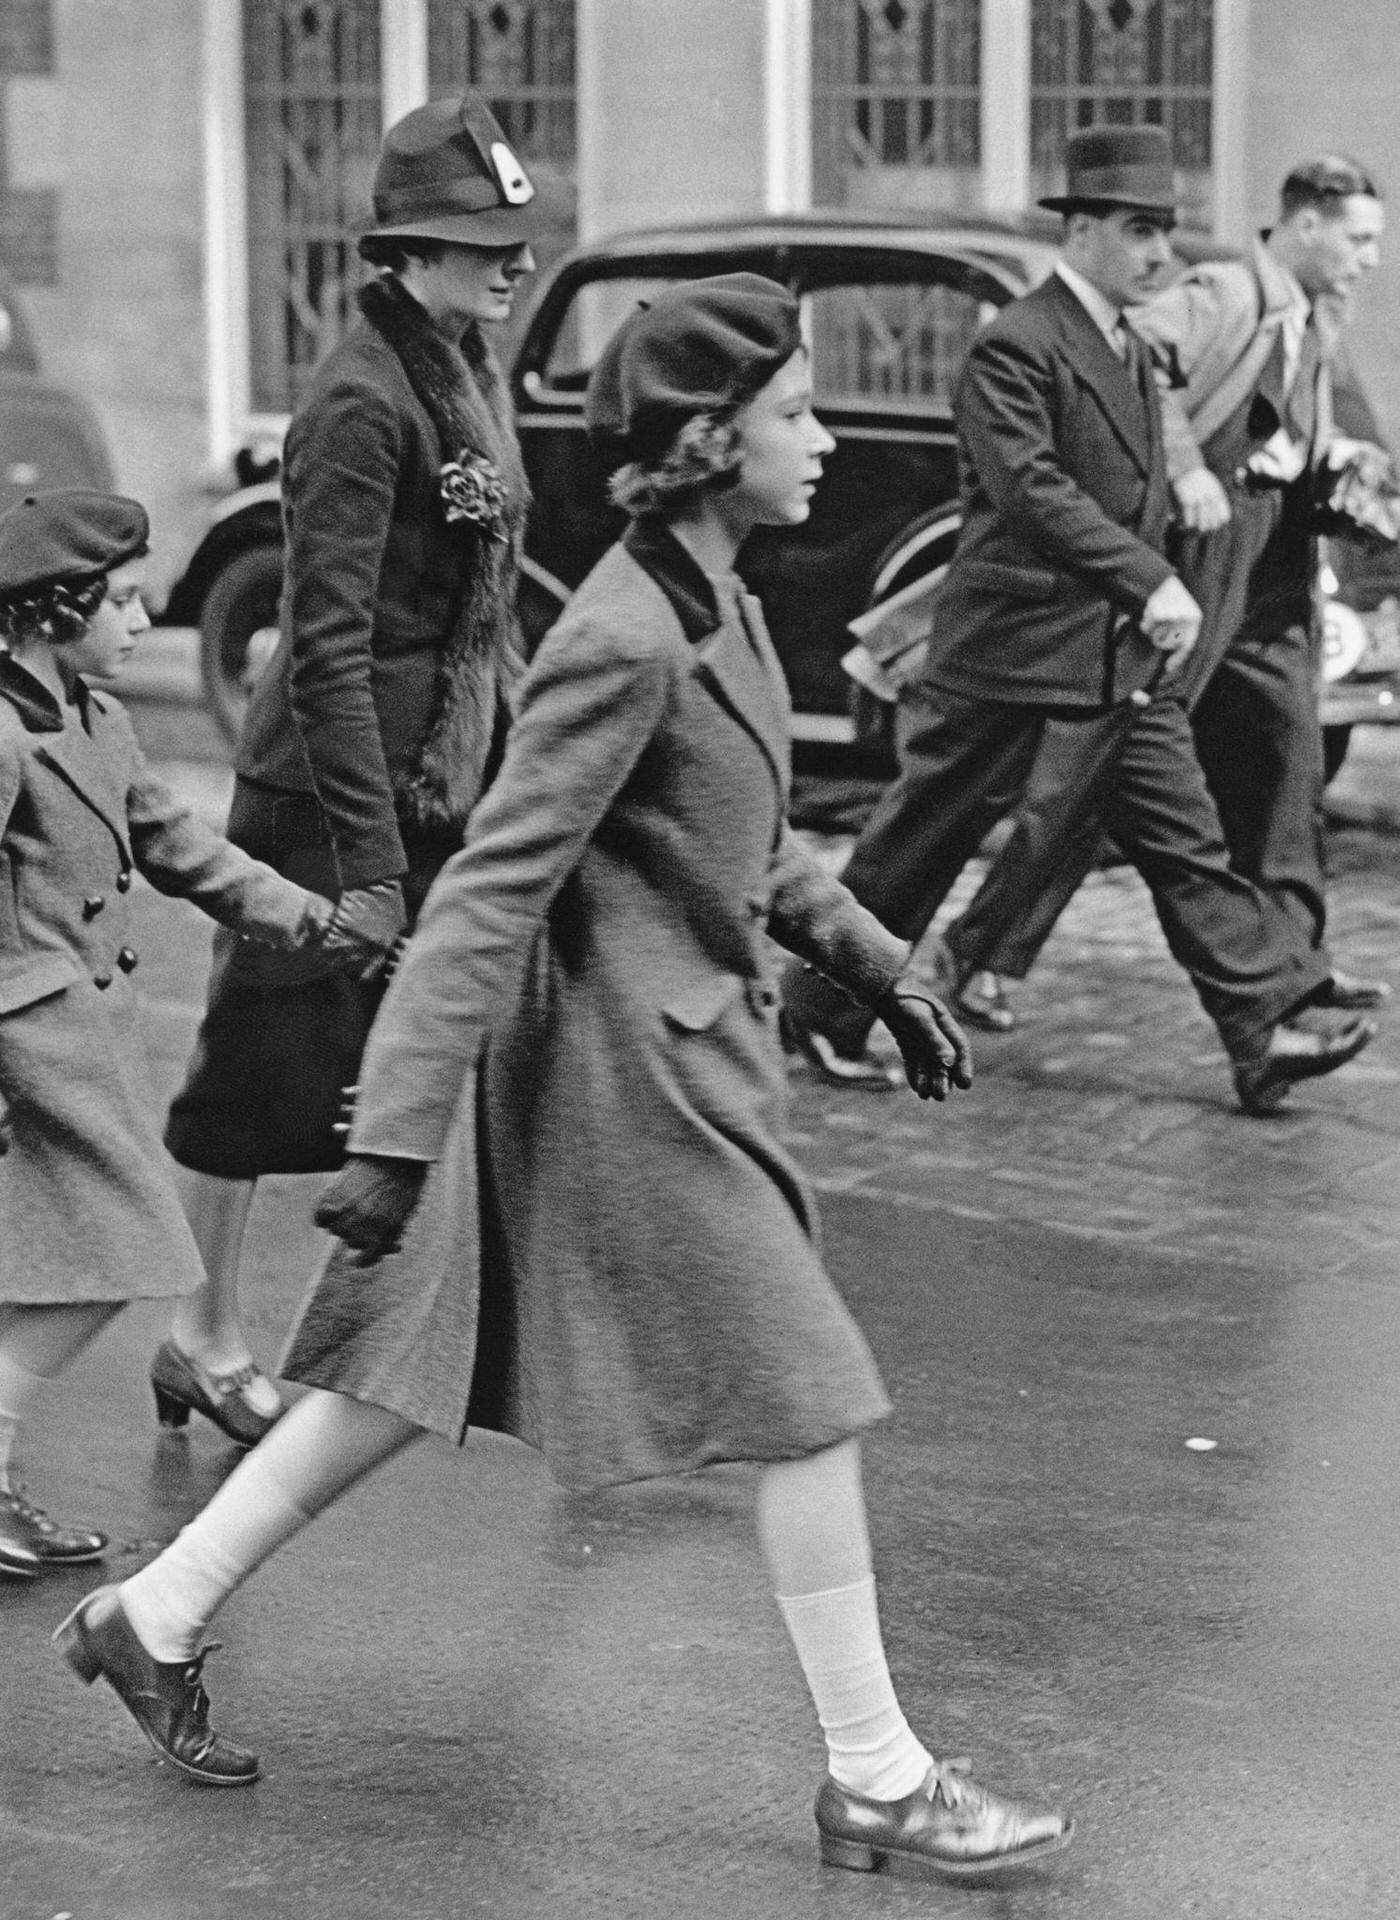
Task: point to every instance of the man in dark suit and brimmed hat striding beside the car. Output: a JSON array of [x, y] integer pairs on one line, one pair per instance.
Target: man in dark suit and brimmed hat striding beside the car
[[1061, 606]]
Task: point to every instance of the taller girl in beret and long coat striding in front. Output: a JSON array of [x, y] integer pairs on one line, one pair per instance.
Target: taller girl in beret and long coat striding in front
[[591, 980]]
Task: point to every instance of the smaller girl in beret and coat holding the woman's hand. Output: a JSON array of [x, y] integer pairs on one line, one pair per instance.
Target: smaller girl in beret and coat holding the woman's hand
[[89, 1216]]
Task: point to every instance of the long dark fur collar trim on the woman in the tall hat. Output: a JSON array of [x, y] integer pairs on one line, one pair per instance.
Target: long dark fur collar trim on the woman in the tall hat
[[485, 500]]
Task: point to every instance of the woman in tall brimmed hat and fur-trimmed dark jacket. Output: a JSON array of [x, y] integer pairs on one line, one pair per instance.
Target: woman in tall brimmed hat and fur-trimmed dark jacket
[[379, 719]]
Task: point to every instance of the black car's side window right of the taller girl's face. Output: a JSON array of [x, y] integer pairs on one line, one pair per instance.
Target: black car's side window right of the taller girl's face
[[898, 341]]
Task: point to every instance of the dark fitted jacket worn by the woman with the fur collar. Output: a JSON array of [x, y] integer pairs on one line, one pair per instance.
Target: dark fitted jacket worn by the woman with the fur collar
[[374, 581]]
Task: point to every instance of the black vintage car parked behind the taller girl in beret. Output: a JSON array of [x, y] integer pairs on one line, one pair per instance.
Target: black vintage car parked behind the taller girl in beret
[[890, 308]]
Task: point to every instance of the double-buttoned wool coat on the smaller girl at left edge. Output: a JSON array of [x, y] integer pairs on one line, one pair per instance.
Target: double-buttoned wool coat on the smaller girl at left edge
[[87, 1201]]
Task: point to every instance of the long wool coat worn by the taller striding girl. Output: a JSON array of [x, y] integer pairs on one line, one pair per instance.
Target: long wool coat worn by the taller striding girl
[[654, 1295]]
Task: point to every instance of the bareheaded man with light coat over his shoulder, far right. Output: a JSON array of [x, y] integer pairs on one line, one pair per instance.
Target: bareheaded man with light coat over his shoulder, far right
[[1245, 352]]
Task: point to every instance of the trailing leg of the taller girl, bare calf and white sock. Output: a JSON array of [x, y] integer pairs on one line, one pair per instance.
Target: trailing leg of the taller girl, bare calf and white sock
[[318, 1451]]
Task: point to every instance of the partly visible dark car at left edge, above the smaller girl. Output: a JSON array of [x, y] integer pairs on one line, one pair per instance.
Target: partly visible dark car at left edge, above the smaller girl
[[49, 437]]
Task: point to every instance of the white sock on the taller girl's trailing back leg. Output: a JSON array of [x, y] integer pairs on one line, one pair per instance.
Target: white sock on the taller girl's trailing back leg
[[174, 1598]]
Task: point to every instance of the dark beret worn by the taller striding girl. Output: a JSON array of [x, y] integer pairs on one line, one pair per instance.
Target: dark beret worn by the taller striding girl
[[696, 348]]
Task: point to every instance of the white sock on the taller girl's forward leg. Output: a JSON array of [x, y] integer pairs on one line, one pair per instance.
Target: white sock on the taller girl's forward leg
[[869, 1740]]
